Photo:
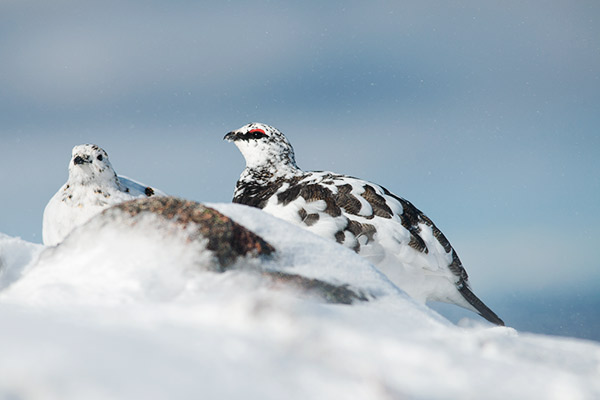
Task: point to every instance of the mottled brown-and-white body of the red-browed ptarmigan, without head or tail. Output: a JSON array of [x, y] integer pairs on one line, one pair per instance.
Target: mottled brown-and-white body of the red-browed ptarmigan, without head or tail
[[384, 228]]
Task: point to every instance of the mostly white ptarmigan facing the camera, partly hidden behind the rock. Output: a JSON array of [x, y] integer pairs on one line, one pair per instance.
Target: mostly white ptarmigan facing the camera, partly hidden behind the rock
[[92, 186]]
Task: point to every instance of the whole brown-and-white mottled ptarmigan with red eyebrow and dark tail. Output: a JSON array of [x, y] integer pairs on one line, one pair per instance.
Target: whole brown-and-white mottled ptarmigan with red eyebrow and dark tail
[[385, 228]]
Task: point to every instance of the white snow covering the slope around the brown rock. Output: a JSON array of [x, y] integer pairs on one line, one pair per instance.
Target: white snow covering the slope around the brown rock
[[122, 314]]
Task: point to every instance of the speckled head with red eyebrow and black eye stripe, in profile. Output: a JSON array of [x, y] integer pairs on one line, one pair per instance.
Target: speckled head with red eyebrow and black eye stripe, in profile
[[263, 147]]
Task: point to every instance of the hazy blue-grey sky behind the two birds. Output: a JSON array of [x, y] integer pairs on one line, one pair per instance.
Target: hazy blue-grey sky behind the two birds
[[485, 116]]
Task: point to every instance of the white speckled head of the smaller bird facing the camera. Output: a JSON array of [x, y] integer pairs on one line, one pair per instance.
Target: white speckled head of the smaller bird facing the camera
[[89, 163]]
